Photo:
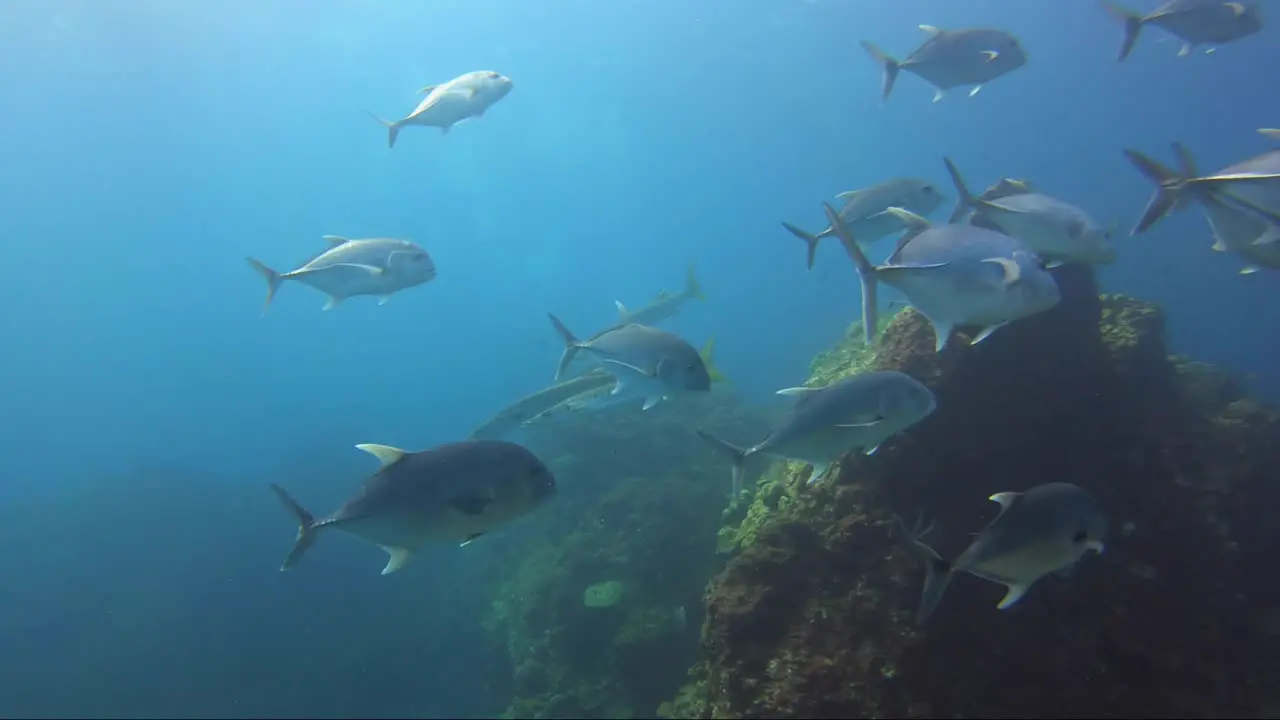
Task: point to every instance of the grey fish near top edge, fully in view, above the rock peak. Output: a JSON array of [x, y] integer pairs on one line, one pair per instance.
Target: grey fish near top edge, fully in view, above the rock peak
[[953, 58]]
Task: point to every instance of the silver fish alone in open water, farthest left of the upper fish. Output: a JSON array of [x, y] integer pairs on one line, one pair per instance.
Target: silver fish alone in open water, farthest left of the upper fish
[[378, 266]]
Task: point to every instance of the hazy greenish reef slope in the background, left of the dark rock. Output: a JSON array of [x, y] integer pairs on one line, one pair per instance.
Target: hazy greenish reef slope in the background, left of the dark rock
[[598, 617]]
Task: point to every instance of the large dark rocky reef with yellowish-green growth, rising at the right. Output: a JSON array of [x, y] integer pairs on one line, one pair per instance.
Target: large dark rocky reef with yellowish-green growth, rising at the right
[[813, 616]]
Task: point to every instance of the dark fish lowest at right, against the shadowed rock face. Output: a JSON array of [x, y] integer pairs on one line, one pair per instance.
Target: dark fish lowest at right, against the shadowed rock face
[[1039, 532]]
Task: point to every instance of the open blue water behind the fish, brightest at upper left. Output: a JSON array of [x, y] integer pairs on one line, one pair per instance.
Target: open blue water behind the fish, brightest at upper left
[[149, 147]]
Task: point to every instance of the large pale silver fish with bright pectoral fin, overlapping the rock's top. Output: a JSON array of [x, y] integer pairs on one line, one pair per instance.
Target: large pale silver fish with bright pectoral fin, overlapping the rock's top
[[954, 276]]
